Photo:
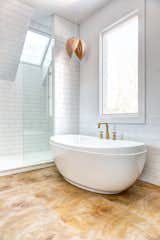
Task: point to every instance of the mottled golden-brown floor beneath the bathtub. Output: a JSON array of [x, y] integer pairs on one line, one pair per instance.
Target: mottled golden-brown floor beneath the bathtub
[[40, 205]]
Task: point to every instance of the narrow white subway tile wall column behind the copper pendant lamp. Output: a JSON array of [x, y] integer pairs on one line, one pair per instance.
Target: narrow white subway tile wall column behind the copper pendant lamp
[[66, 80]]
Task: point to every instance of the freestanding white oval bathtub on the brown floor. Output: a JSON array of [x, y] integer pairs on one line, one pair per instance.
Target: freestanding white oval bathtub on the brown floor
[[102, 166]]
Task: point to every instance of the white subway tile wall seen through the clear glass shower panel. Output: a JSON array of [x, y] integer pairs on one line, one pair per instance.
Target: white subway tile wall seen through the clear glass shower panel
[[35, 110]]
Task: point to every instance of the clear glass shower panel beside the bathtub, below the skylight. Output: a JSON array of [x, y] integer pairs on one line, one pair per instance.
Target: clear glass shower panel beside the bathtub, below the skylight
[[37, 106]]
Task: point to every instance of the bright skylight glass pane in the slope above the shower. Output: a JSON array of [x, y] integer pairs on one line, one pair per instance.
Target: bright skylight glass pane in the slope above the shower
[[34, 48]]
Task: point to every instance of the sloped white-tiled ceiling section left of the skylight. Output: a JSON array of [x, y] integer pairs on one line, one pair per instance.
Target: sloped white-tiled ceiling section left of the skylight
[[14, 21]]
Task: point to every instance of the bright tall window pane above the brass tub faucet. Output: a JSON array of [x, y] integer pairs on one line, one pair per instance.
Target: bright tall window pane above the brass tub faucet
[[120, 68]]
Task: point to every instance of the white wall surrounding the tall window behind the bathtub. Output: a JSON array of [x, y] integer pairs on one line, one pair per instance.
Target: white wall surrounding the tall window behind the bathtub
[[89, 77]]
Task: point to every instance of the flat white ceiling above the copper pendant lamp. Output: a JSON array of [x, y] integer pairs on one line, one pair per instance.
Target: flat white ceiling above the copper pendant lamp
[[74, 10]]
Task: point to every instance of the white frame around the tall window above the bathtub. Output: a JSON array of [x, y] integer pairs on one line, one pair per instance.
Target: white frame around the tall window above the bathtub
[[129, 117]]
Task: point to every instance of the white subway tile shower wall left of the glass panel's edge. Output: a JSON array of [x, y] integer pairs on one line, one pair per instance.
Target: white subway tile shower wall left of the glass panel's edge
[[11, 118]]
